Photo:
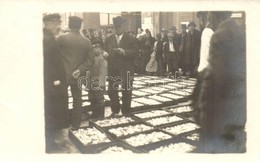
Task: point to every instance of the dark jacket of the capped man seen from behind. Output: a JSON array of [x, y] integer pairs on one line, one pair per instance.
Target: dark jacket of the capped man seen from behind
[[77, 53]]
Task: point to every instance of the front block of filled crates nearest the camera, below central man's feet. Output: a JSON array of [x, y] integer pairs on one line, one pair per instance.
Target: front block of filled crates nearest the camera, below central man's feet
[[147, 131]]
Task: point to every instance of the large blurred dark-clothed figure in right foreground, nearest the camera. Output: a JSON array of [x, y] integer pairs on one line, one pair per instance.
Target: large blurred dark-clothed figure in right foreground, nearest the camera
[[222, 101]]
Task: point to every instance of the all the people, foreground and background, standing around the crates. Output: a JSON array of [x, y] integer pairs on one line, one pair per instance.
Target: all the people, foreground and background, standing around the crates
[[216, 58]]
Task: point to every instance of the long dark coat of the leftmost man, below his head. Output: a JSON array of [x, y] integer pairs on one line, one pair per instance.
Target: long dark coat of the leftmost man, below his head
[[55, 97]]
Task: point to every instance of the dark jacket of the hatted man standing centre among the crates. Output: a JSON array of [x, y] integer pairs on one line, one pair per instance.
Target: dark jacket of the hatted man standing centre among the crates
[[116, 61]]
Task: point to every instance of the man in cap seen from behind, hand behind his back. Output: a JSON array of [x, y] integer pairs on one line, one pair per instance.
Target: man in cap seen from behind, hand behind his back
[[77, 54]]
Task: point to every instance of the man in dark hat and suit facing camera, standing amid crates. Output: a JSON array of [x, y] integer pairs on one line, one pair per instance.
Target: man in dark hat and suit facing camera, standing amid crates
[[122, 49]]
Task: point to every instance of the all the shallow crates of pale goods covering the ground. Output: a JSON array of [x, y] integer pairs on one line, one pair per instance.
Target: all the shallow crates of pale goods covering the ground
[[159, 121]]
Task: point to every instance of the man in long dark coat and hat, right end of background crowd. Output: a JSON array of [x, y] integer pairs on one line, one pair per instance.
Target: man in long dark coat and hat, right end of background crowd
[[192, 50]]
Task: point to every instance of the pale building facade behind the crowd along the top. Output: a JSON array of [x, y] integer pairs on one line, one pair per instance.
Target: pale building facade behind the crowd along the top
[[154, 21]]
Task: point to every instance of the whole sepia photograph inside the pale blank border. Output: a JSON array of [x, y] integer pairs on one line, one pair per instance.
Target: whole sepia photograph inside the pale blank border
[[145, 82]]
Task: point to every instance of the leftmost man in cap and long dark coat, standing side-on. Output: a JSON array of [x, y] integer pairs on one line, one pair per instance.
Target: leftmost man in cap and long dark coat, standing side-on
[[55, 88]]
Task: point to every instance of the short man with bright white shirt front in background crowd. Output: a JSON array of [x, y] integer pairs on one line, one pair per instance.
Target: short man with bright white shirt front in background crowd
[[171, 49]]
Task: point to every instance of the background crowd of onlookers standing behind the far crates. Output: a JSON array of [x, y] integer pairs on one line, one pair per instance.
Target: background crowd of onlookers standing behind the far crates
[[163, 54]]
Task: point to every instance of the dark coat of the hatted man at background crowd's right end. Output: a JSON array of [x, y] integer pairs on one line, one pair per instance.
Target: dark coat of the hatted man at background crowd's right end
[[192, 48]]
